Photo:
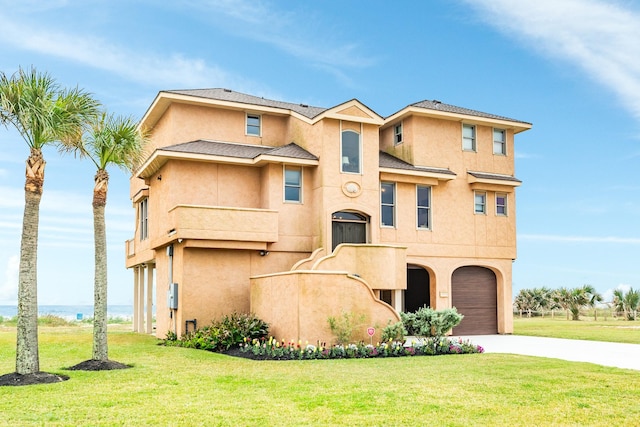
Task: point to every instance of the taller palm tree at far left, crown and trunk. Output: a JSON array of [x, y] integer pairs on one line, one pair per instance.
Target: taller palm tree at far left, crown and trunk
[[44, 114]]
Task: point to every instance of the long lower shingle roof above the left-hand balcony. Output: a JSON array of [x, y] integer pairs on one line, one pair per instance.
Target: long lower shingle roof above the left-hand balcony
[[243, 151]]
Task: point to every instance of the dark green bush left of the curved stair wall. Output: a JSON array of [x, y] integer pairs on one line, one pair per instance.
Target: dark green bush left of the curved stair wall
[[222, 334]]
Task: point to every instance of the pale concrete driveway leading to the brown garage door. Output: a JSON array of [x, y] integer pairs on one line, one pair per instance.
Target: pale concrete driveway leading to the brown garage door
[[598, 352]]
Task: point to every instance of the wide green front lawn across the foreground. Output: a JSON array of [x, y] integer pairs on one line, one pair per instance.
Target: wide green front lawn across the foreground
[[172, 386]]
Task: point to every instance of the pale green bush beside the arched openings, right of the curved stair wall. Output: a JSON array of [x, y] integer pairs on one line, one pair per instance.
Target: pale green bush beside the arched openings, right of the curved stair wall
[[427, 322]]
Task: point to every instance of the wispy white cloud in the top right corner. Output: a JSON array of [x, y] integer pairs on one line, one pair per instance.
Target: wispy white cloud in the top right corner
[[600, 37]]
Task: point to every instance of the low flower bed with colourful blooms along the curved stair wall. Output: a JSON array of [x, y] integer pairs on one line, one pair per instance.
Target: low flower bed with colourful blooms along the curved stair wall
[[272, 349]]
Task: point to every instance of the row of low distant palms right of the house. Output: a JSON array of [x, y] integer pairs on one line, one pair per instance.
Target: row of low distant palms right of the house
[[573, 300]]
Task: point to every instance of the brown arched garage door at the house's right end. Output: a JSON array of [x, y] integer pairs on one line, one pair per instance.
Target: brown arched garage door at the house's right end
[[474, 293]]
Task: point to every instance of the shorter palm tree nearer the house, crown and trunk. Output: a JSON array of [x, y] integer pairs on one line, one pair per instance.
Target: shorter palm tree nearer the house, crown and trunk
[[111, 140]]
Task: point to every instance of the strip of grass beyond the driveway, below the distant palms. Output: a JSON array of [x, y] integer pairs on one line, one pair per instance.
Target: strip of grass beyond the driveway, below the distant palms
[[586, 329]]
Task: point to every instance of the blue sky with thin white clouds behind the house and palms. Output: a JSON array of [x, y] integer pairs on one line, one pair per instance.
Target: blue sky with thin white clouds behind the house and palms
[[571, 68]]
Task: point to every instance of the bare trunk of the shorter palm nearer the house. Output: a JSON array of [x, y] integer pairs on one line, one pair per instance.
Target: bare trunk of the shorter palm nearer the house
[[100, 349]]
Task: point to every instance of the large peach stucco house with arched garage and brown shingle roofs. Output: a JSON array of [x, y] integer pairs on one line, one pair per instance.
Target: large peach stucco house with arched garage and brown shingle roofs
[[298, 213]]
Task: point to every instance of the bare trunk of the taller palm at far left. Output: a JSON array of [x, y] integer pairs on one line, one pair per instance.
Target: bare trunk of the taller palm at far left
[[27, 358]]
